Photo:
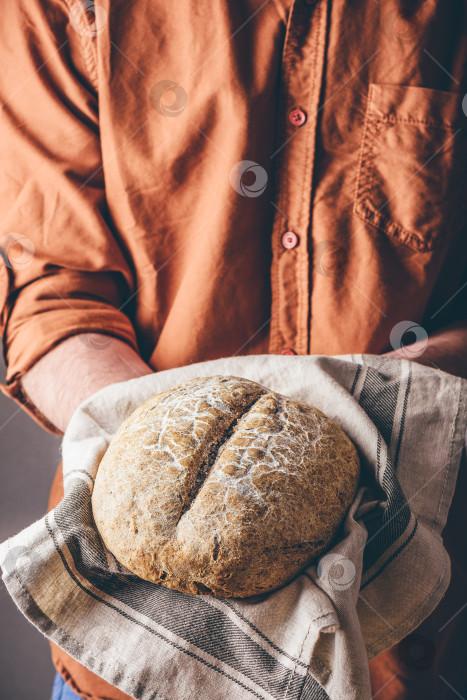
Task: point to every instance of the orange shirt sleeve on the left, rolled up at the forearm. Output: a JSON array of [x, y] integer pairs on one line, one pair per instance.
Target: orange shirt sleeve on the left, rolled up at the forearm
[[62, 271]]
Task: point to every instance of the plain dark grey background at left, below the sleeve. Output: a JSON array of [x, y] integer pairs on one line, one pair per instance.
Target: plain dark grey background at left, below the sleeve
[[29, 457]]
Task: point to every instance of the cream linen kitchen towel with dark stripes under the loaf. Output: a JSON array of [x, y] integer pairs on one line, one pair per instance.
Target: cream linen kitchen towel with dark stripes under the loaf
[[386, 571]]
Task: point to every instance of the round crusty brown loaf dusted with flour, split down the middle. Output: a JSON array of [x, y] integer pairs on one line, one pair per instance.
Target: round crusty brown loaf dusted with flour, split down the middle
[[221, 486]]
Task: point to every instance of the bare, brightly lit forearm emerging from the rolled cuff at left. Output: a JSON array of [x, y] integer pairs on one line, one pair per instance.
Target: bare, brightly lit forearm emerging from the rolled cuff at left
[[79, 366]]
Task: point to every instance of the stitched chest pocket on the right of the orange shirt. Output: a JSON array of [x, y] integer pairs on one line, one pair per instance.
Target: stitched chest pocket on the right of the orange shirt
[[412, 167]]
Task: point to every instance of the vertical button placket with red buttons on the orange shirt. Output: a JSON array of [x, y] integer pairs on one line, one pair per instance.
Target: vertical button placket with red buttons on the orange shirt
[[301, 80]]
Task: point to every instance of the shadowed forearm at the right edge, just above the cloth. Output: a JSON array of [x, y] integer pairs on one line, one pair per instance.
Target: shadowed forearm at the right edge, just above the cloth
[[445, 350]]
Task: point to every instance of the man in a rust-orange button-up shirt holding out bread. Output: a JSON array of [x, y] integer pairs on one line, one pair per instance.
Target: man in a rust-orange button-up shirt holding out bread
[[188, 181]]
